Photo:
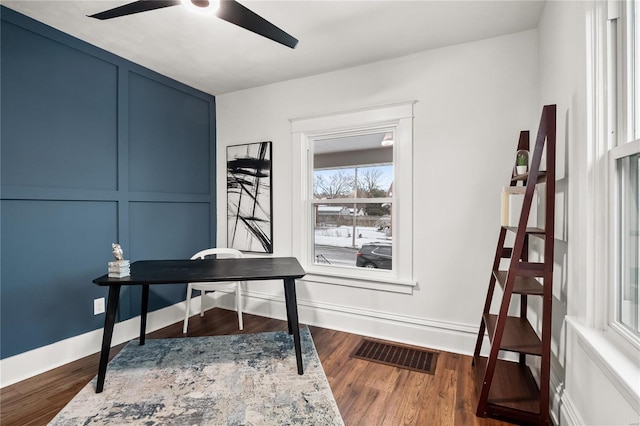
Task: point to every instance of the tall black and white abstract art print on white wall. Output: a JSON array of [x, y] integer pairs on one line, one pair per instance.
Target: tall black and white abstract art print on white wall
[[249, 202]]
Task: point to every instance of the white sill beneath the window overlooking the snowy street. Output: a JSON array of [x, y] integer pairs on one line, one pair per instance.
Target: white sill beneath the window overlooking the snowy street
[[388, 284]]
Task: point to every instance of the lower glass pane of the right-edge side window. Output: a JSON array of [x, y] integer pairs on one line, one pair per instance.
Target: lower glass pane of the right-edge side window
[[628, 309]]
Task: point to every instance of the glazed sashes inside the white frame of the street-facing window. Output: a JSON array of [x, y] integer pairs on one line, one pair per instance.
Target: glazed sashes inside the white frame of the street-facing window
[[352, 200]]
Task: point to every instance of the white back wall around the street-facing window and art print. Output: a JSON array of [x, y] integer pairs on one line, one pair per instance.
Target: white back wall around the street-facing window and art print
[[473, 100]]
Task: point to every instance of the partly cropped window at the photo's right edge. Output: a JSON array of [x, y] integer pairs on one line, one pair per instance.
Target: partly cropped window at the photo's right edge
[[624, 162]]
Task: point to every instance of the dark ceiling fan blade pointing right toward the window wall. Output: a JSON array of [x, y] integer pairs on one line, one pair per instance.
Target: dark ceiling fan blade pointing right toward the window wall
[[234, 12]]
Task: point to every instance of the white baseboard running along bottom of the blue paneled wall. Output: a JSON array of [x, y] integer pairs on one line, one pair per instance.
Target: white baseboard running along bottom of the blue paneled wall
[[45, 358]]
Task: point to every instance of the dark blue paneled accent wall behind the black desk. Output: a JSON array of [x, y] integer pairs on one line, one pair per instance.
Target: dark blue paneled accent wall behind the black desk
[[94, 149]]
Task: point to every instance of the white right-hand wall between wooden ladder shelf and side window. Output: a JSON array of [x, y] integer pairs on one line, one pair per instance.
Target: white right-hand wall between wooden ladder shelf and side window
[[588, 391]]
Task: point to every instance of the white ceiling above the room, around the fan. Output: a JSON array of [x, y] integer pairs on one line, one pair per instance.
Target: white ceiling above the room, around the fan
[[218, 57]]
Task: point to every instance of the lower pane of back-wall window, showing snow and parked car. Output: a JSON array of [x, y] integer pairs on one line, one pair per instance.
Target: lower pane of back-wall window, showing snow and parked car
[[353, 235]]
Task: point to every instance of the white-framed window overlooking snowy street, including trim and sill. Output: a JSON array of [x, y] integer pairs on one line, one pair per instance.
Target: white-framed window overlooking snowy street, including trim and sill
[[353, 222]]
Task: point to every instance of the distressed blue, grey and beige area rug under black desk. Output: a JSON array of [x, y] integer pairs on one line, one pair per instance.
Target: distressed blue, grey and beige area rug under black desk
[[247, 379]]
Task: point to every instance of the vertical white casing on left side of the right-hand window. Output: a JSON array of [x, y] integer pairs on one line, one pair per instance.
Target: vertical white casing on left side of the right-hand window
[[604, 123]]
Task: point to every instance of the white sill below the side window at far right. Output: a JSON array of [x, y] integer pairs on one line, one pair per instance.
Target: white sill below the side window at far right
[[609, 353]]
